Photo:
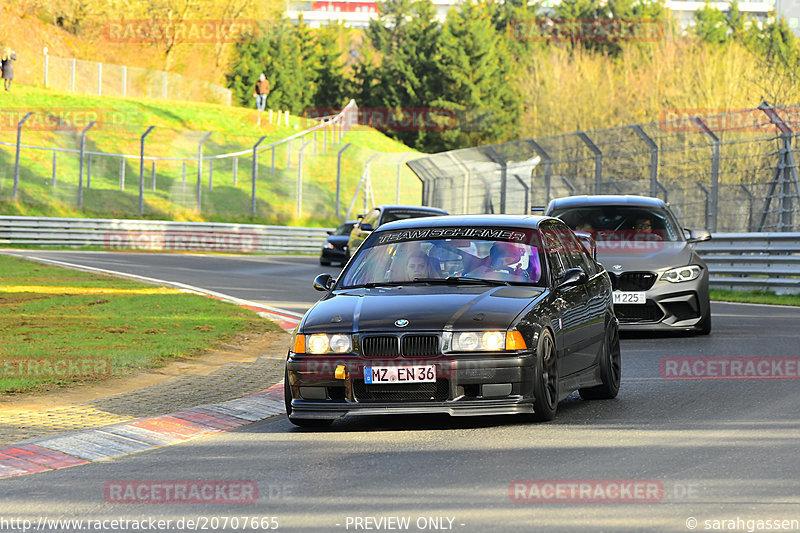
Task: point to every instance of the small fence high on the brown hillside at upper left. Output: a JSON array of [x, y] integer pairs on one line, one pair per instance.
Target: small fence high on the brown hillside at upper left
[[105, 79]]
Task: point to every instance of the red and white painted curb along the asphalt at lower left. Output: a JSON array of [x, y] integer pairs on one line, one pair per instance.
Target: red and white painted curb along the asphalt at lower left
[[99, 444]]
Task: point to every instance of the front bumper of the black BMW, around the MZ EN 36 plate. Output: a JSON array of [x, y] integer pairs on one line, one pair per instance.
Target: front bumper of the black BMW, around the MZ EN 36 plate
[[465, 386]]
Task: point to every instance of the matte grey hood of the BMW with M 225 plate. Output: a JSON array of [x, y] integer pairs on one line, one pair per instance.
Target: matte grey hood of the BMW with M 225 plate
[[639, 256]]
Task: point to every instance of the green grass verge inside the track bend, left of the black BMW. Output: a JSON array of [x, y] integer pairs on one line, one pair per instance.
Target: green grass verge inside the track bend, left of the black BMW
[[62, 327]]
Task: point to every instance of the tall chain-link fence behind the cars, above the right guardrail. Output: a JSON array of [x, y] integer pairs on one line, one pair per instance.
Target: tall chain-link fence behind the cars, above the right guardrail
[[727, 172]]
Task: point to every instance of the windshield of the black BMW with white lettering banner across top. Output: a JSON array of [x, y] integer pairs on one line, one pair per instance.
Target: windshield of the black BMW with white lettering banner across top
[[447, 255]]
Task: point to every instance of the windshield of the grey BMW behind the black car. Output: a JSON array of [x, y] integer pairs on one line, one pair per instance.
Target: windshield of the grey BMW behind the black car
[[607, 223]]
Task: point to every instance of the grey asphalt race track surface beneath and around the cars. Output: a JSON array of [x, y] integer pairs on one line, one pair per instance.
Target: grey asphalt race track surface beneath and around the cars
[[715, 454]]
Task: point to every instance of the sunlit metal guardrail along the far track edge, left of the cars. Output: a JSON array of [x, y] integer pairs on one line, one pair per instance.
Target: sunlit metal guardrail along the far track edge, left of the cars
[[157, 235]]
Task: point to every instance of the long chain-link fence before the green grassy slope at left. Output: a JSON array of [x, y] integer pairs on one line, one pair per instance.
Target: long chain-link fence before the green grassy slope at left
[[126, 170]]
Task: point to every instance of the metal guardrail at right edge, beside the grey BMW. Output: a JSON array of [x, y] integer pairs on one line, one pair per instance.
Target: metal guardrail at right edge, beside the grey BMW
[[753, 261]]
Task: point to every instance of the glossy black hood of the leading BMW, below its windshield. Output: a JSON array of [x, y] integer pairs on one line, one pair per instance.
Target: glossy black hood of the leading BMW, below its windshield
[[426, 308]]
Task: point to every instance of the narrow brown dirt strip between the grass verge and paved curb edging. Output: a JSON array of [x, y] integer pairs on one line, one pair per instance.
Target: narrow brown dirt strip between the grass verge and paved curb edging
[[245, 348]]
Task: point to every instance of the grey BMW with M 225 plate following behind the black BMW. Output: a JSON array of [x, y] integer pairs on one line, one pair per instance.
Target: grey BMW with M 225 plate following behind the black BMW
[[660, 282]]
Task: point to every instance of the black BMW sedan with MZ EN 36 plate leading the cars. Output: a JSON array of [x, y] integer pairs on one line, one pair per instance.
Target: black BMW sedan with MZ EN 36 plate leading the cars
[[463, 315]]
